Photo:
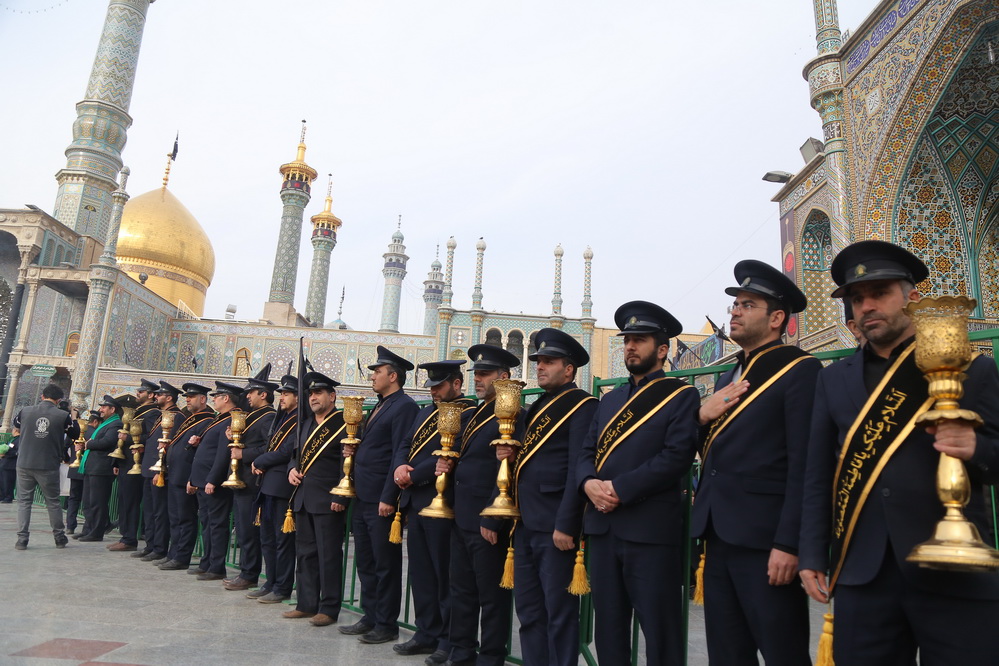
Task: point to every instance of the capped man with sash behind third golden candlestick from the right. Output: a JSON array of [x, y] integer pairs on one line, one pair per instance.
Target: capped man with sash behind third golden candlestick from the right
[[429, 539]]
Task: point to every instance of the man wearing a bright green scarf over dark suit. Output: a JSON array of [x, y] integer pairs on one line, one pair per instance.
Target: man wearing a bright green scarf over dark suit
[[97, 468]]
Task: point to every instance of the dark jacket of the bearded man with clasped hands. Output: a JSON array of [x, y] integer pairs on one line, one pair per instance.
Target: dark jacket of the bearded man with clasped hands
[[647, 469]]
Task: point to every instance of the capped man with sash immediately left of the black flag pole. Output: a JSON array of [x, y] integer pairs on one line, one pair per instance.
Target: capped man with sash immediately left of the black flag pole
[[271, 467]]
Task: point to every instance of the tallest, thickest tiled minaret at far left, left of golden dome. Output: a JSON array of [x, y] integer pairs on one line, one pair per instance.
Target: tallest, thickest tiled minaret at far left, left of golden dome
[[93, 159]]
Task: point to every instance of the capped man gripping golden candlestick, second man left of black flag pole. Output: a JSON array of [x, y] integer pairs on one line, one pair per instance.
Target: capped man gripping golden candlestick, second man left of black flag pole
[[259, 395]]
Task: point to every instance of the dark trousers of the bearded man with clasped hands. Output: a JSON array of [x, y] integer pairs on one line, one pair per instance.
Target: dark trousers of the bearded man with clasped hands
[[644, 578]]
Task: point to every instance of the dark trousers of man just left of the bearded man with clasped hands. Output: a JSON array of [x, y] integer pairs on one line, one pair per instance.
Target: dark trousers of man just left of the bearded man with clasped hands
[[548, 614]]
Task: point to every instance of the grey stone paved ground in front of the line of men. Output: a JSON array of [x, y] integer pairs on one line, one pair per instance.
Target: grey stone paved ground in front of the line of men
[[84, 605]]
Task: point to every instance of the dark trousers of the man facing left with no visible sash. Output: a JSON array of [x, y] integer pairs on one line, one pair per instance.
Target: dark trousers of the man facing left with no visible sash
[[379, 566]]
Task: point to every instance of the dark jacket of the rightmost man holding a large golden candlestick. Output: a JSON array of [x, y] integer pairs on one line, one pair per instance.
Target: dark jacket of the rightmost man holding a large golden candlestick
[[902, 507]]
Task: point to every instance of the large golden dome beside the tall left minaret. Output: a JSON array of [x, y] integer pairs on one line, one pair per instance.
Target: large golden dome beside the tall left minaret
[[160, 237]]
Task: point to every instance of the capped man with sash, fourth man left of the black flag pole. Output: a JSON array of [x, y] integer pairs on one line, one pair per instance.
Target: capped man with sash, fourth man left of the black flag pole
[[182, 503]]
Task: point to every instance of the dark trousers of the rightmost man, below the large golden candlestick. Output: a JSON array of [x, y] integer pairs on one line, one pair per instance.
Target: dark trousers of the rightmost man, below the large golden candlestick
[[886, 621]]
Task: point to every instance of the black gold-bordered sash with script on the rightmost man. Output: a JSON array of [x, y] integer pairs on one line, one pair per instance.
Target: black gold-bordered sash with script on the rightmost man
[[884, 423]]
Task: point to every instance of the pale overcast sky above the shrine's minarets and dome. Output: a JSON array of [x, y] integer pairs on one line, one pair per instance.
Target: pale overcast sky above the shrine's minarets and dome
[[640, 128]]
